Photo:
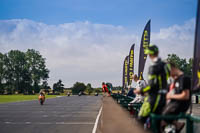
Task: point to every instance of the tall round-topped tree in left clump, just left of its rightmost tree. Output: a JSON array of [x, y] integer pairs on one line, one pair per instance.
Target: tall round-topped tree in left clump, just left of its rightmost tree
[[16, 71]]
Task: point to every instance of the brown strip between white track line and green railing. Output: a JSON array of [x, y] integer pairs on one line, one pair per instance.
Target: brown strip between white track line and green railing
[[115, 119]]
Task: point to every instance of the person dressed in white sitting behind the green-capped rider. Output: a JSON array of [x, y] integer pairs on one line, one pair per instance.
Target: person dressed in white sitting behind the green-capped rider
[[140, 85]]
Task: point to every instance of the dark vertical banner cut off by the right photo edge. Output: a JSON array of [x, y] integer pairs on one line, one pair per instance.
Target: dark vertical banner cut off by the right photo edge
[[196, 61]]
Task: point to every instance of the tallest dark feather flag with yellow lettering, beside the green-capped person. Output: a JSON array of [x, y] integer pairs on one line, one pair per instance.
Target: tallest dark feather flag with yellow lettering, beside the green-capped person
[[144, 44]]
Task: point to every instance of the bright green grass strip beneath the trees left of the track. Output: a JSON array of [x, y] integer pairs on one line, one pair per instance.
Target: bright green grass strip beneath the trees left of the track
[[15, 98]]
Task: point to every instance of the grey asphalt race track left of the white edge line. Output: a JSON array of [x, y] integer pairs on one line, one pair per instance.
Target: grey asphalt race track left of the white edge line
[[74, 114]]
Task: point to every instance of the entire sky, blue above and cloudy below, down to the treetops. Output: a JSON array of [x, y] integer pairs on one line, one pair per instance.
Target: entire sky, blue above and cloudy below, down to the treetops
[[87, 40]]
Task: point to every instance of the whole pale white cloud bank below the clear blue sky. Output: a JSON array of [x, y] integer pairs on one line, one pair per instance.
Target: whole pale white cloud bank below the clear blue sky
[[87, 52]]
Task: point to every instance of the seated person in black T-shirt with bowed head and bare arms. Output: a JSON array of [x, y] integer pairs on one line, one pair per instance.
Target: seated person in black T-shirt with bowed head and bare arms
[[178, 98]]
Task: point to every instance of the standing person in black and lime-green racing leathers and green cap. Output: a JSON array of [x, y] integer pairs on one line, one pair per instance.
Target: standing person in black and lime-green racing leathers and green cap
[[156, 90]]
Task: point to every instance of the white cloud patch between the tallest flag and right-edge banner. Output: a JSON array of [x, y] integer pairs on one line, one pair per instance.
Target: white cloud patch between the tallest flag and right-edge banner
[[178, 39]]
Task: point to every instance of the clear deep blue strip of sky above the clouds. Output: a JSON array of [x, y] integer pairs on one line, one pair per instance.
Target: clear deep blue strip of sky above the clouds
[[129, 13]]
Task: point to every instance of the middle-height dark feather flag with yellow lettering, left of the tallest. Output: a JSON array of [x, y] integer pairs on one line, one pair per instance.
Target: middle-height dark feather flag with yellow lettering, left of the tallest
[[131, 64]]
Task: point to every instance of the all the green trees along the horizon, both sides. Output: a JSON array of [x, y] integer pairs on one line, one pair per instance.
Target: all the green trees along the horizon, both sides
[[26, 73]]
